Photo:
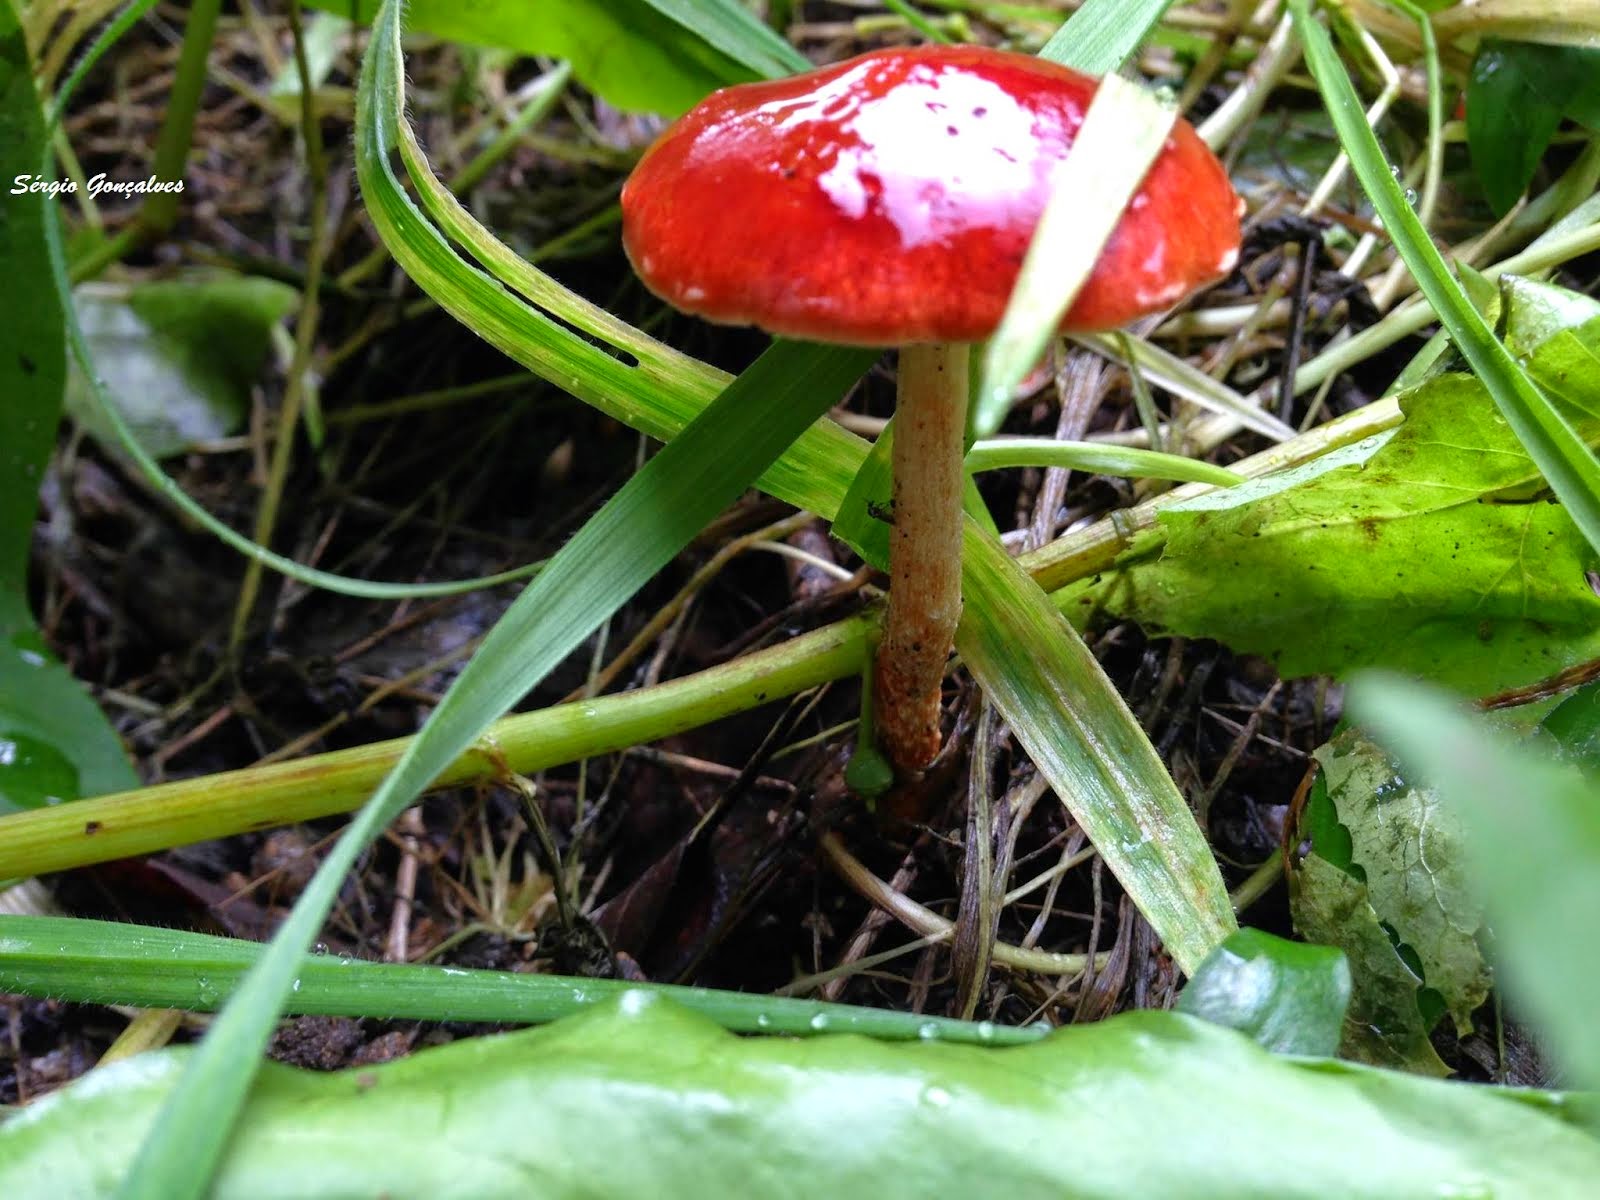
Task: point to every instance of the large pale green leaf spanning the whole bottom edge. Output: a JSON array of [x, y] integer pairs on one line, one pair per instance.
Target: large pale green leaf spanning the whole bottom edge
[[642, 1098]]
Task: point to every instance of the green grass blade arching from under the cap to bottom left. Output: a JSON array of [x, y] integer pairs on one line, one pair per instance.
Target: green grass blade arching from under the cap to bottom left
[[614, 554]]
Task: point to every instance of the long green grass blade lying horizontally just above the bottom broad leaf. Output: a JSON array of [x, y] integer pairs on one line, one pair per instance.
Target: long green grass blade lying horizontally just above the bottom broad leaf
[[111, 962]]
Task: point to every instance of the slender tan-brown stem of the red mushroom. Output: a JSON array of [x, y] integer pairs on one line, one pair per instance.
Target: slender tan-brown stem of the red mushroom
[[926, 553]]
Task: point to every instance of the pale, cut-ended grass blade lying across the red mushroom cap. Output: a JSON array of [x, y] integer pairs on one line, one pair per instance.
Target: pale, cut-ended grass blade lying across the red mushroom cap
[[1119, 140]]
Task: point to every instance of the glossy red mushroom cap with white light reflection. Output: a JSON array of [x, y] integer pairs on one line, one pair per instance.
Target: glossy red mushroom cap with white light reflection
[[892, 198]]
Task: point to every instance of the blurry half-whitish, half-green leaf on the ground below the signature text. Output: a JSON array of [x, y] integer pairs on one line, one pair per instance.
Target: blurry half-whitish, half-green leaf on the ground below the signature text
[[178, 356]]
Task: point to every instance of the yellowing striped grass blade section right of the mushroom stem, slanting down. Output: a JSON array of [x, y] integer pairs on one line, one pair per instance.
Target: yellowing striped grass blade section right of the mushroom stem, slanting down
[[1082, 737]]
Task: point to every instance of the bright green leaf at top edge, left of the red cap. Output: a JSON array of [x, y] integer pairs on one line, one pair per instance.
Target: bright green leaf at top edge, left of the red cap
[[636, 54]]
